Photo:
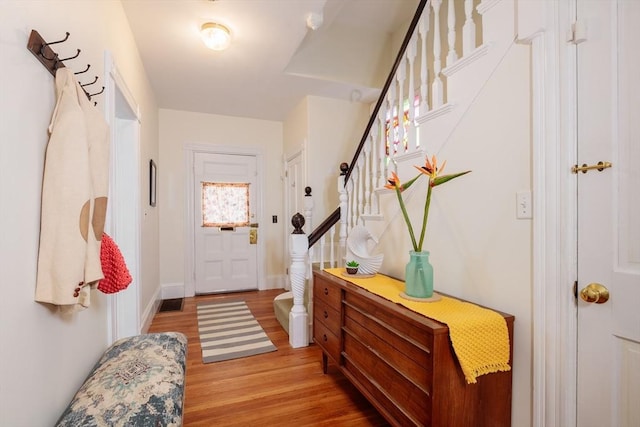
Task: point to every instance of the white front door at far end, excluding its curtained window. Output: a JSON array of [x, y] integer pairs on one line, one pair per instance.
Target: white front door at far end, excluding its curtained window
[[225, 256]]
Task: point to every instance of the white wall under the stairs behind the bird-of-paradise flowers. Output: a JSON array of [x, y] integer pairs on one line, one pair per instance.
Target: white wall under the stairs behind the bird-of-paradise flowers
[[479, 250]]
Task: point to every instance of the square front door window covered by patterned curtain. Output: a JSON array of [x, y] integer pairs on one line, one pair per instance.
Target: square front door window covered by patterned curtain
[[225, 204]]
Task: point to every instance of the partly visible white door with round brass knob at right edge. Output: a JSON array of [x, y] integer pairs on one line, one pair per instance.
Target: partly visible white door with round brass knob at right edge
[[608, 382]]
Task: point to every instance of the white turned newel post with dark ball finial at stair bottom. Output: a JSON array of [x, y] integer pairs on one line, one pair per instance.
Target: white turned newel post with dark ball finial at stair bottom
[[298, 316]]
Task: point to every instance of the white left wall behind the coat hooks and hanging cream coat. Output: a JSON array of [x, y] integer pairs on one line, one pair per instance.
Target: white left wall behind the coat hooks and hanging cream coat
[[45, 356]]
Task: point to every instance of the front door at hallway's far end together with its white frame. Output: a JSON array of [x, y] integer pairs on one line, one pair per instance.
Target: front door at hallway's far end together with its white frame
[[219, 257]]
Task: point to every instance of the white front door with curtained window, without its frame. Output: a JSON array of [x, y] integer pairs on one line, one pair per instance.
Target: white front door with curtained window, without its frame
[[224, 225]]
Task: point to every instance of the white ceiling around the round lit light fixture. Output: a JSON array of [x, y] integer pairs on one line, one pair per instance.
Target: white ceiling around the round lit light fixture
[[274, 59]]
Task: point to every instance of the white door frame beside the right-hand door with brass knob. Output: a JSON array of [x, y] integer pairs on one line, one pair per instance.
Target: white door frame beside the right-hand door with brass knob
[[554, 257]]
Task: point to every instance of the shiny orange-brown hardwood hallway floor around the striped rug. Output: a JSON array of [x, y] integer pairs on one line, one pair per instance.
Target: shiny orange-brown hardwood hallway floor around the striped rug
[[281, 388]]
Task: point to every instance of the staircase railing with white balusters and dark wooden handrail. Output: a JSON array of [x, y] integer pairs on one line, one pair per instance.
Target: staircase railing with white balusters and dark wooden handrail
[[414, 93]]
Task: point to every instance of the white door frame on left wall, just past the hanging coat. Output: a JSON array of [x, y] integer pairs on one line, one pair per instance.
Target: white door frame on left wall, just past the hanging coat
[[122, 113]]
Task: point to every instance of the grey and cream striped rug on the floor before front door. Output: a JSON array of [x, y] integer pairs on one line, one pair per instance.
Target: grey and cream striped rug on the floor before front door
[[228, 330]]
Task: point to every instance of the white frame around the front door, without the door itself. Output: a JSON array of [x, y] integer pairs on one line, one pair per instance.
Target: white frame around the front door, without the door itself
[[190, 150]]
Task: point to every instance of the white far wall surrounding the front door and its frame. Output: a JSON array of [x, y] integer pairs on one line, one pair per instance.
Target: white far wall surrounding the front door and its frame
[[178, 128]]
